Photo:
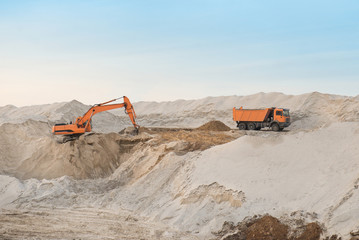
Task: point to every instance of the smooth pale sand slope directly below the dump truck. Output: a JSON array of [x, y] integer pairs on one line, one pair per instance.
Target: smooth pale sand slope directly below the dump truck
[[312, 171]]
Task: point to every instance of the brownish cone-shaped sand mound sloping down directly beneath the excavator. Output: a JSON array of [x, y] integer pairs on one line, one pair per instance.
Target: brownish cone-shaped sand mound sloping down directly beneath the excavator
[[91, 156]]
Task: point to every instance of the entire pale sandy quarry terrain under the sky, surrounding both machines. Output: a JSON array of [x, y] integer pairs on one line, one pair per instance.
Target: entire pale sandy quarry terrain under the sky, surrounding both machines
[[180, 182]]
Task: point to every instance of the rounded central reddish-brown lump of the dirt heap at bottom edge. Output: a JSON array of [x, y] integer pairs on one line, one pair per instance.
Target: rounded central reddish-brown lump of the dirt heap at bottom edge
[[267, 228]]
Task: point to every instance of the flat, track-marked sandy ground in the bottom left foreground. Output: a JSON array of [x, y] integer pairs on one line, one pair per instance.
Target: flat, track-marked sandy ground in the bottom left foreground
[[81, 223]]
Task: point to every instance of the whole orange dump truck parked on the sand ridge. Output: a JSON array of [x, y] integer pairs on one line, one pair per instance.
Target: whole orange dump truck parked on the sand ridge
[[255, 119]]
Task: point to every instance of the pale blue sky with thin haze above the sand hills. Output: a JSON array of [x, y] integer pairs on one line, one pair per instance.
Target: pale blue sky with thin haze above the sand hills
[[92, 51]]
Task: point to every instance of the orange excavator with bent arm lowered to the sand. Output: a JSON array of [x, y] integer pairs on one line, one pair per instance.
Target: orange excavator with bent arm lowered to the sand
[[83, 124]]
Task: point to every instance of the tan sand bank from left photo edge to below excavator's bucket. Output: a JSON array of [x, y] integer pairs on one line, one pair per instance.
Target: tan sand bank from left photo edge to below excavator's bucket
[[28, 150]]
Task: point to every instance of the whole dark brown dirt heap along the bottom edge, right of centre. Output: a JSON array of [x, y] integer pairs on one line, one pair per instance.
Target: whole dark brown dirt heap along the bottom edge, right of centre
[[268, 228]]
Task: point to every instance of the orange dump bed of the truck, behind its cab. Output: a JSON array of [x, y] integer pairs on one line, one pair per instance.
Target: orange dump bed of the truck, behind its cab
[[250, 115]]
